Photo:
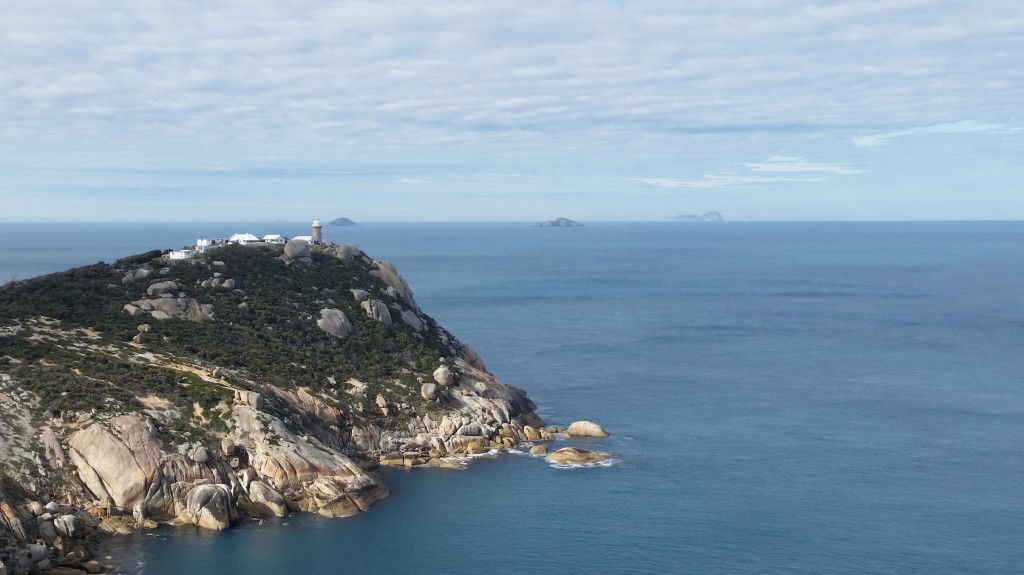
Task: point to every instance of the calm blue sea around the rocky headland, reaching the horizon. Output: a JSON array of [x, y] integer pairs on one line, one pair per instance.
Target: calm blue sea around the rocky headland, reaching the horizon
[[792, 399]]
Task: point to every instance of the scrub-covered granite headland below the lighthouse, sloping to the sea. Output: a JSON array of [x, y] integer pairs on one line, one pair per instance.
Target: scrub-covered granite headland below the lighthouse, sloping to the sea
[[248, 382]]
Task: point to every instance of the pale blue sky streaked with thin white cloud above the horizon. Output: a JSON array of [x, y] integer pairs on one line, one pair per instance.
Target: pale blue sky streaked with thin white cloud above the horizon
[[511, 111]]
